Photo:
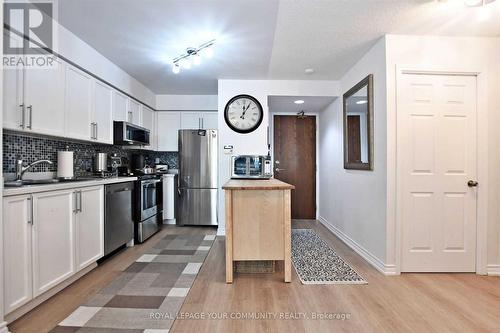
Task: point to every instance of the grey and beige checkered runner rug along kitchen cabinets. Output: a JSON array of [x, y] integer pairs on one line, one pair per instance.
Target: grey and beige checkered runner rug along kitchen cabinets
[[146, 297]]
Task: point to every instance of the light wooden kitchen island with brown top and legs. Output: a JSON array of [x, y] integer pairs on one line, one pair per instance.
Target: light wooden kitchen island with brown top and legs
[[258, 222]]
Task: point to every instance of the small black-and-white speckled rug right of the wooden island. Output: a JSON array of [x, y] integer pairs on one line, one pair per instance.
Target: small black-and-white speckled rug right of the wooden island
[[317, 263]]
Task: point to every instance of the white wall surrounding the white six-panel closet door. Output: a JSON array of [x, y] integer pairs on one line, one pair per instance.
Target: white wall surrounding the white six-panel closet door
[[452, 54]]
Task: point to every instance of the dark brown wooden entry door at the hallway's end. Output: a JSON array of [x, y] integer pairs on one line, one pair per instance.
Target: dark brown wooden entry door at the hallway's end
[[295, 161]]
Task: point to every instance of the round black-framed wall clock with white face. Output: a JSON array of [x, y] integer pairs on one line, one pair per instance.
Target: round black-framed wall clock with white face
[[243, 114]]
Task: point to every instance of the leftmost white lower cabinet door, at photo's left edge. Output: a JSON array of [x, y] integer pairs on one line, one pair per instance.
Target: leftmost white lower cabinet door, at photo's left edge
[[17, 251]]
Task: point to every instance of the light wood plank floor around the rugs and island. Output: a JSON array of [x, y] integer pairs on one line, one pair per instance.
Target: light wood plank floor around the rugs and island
[[406, 303]]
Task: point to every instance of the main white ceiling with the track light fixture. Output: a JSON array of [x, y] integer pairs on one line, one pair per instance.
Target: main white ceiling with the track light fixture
[[258, 39]]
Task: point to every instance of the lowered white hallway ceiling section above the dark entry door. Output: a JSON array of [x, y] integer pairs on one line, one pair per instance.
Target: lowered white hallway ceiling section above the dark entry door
[[286, 103]]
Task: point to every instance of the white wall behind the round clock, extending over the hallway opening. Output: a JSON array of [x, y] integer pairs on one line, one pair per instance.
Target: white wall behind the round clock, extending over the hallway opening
[[256, 142]]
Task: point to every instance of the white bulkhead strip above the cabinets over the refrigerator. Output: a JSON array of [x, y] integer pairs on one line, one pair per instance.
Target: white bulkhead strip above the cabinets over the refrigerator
[[186, 102]]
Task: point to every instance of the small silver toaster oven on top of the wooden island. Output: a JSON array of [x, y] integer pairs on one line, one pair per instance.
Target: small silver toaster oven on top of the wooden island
[[251, 167]]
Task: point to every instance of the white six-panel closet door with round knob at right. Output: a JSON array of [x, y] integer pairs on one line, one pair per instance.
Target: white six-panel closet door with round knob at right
[[437, 141]]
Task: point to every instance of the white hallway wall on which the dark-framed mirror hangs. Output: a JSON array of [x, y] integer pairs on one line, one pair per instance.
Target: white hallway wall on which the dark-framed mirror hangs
[[353, 203]]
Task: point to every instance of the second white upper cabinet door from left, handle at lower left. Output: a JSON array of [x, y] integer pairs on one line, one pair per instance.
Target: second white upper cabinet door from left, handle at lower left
[[44, 99]]
